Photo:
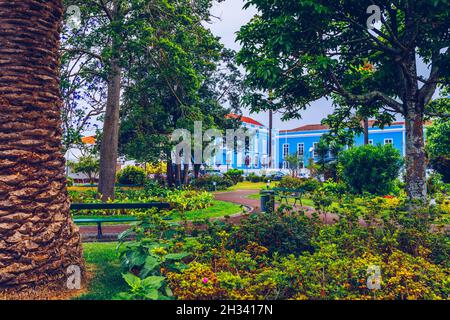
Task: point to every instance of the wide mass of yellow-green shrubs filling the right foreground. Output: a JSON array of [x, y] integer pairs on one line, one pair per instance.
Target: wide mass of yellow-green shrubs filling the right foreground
[[337, 267]]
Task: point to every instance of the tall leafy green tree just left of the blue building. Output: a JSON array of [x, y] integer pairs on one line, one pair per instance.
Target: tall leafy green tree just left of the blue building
[[189, 78]]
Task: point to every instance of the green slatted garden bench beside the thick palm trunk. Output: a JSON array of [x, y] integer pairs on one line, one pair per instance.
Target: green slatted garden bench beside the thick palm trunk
[[113, 206]]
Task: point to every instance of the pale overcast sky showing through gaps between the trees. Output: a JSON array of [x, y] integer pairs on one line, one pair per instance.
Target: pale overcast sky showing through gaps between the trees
[[232, 17]]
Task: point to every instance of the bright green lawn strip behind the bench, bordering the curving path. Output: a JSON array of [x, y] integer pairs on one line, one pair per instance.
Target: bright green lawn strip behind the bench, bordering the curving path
[[218, 209]]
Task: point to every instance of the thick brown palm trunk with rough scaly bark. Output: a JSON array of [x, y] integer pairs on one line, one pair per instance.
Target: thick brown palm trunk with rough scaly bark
[[38, 240]]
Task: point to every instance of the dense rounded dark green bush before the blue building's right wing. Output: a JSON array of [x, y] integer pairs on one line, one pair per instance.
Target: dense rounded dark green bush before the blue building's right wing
[[371, 169]]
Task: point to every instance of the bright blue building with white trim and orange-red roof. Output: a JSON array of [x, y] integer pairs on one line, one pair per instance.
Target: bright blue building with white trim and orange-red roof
[[302, 141]]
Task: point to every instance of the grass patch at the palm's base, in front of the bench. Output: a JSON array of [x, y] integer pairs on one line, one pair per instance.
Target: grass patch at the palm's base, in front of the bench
[[104, 267]]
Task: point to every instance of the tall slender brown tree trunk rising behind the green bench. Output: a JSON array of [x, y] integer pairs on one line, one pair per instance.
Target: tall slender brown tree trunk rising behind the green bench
[[110, 139]]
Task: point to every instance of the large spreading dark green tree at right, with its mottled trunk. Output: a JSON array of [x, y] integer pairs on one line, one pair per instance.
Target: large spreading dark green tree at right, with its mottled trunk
[[304, 50]]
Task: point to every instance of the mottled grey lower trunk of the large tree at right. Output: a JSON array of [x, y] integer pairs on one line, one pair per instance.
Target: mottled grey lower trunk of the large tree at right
[[416, 187]]
